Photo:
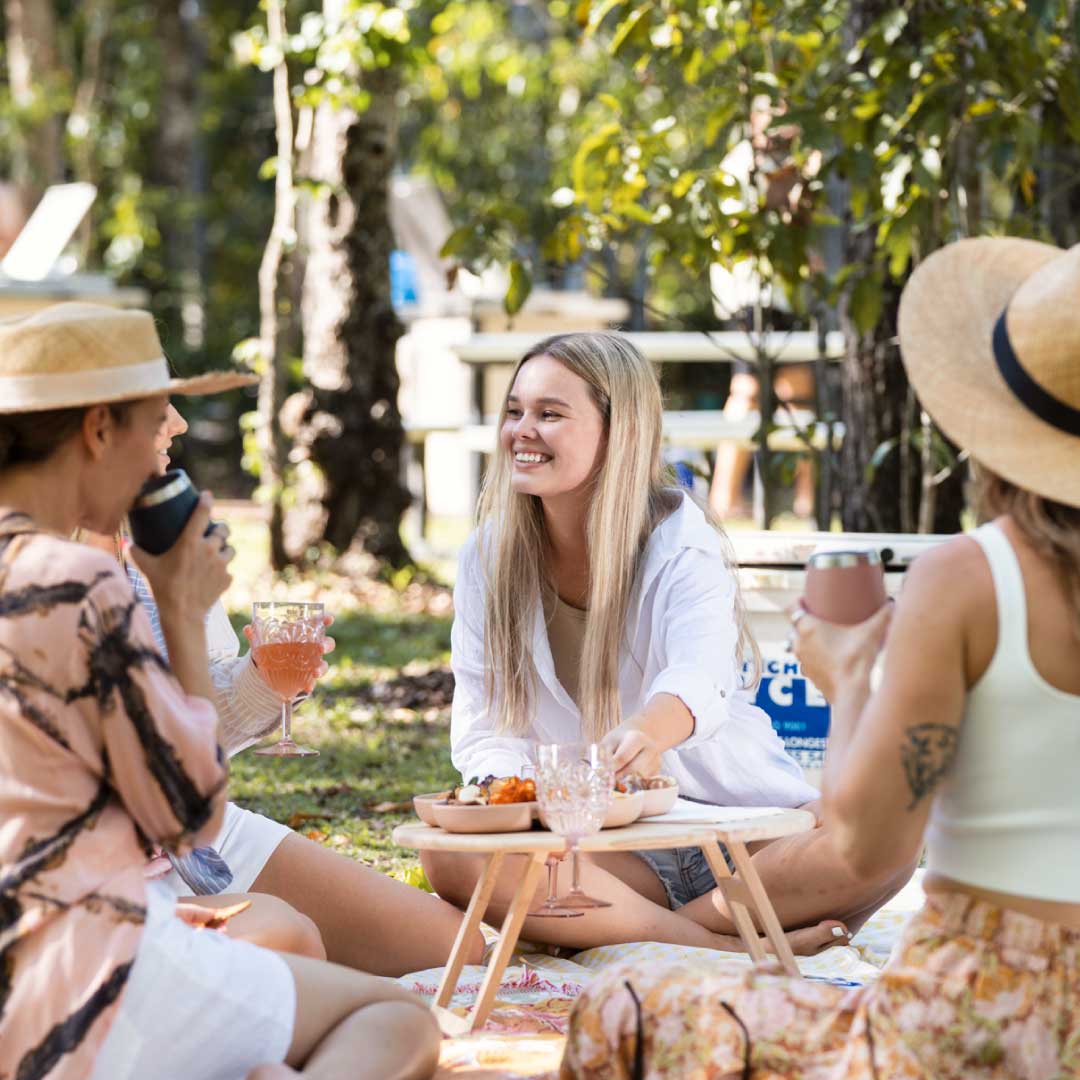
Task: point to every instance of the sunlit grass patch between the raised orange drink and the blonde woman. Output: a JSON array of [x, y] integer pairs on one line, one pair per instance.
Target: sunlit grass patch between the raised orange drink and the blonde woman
[[372, 759]]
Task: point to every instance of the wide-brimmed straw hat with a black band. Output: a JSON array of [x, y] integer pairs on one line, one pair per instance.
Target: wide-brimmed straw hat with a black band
[[990, 333]]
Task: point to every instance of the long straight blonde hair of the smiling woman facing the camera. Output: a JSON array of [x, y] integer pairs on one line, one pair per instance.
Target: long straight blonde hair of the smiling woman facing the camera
[[632, 495]]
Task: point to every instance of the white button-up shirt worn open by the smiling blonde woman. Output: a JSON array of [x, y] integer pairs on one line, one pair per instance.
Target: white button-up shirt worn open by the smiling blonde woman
[[683, 640]]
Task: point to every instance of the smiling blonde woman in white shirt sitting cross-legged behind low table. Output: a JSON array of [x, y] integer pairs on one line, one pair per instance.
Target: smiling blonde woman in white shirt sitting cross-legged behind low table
[[597, 602]]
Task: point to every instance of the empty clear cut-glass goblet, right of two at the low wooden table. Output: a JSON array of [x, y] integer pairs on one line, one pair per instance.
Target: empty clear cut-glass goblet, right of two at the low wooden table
[[575, 786]]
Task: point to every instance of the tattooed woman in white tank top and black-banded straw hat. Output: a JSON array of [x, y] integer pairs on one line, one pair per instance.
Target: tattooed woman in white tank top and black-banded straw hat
[[971, 742]]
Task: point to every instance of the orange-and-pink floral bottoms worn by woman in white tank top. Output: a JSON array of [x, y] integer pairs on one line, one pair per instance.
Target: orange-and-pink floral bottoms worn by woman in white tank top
[[975, 992]]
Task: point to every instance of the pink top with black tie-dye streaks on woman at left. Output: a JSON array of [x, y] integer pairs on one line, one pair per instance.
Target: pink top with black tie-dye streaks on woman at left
[[102, 755]]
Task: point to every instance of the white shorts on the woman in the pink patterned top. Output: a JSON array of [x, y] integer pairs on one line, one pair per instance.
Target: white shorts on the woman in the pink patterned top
[[198, 1006]]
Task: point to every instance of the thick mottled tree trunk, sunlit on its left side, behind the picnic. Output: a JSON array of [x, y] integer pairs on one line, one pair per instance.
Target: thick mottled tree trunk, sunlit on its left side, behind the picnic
[[349, 428]]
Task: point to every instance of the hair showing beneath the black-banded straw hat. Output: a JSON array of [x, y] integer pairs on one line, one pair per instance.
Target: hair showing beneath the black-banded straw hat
[[1051, 529]]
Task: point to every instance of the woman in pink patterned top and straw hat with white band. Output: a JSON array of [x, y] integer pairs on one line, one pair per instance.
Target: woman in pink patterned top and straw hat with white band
[[106, 750]]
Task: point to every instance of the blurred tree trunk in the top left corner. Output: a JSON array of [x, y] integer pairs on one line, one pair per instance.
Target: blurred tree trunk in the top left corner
[[38, 155]]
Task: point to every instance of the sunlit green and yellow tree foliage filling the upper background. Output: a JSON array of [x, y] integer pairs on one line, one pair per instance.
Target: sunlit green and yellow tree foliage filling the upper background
[[626, 145]]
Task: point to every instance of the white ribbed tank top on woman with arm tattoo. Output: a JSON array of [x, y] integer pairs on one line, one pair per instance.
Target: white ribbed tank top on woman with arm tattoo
[[1008, 816]]
